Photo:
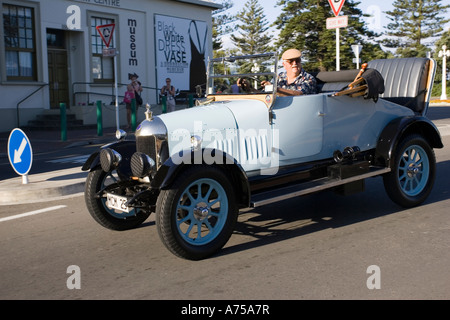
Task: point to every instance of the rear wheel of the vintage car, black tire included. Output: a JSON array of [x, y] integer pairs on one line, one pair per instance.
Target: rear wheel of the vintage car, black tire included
[[413, 172]]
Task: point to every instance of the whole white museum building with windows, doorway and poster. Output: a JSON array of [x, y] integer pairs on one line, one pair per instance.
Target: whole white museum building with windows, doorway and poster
[[51, 52]]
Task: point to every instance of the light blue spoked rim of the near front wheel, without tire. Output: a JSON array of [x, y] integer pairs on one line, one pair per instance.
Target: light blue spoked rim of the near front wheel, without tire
[[201, 212]]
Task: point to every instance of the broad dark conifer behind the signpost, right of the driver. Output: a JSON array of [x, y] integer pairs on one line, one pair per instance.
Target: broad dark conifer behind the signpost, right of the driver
[[302, 25]]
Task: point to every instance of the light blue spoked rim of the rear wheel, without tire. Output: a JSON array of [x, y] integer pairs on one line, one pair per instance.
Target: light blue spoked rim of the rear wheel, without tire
[[413, 170]]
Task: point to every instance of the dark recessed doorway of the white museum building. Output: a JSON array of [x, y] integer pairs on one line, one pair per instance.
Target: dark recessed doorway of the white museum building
[[58, 77]]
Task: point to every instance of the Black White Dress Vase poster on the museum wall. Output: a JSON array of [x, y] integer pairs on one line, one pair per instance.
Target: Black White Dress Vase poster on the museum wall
[[181, 51]]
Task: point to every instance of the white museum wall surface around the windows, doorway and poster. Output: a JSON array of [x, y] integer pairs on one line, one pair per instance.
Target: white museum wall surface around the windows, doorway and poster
[[53, 14]]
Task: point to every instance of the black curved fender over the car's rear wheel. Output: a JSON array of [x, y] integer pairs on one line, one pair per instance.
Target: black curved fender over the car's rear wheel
[[399, 128]]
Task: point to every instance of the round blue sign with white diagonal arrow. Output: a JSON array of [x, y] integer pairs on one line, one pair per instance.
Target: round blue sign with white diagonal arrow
[[20, 153]]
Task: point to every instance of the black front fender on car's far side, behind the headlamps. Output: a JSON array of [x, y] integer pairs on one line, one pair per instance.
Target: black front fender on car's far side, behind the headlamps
[[126, 148]]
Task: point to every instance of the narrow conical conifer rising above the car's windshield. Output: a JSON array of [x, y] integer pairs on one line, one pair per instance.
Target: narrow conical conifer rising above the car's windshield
[[252, 27]]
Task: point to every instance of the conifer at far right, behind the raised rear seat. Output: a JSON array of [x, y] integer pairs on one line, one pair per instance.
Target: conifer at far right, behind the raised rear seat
[[413, 22]]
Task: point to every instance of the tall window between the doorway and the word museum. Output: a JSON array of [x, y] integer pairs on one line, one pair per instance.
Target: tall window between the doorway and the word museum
[[102, 67]]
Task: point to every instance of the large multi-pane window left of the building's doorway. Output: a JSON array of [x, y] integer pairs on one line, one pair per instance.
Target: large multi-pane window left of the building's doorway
[[19, 38]]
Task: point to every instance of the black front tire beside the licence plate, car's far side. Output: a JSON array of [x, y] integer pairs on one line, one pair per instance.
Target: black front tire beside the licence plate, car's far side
[[105, 216]]
